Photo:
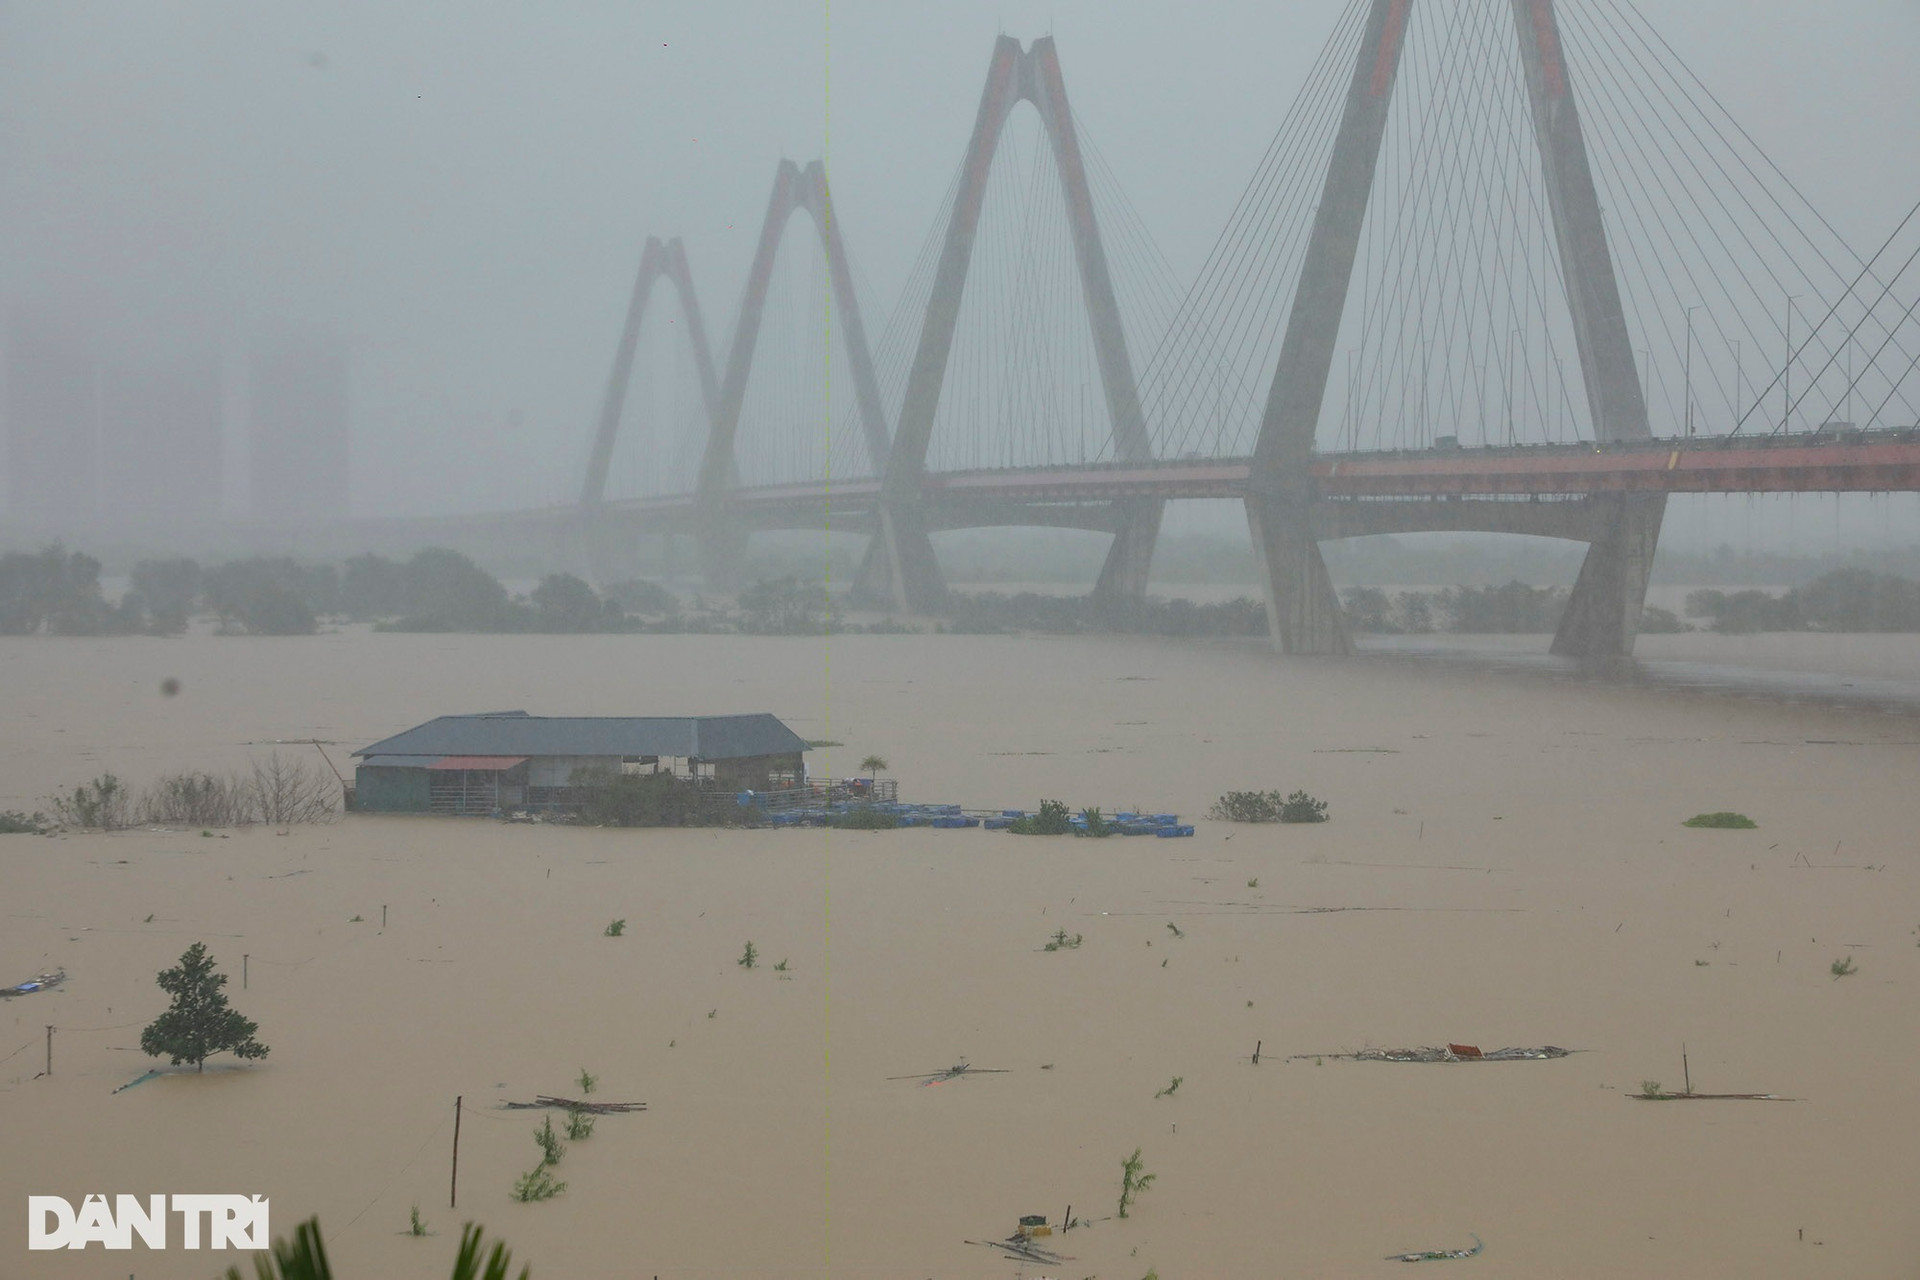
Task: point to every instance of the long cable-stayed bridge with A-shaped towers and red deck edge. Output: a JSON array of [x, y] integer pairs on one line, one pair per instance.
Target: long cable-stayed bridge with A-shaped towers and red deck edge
[[1506, 266]]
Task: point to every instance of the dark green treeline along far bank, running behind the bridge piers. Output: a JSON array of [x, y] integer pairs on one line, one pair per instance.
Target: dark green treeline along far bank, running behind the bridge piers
[[59, 592]]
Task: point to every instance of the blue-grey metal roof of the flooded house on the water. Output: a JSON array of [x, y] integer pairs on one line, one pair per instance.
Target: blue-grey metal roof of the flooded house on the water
[[517, 734]]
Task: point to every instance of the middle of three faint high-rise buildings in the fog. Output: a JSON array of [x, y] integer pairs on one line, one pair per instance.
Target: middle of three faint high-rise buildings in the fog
[[162, 442]]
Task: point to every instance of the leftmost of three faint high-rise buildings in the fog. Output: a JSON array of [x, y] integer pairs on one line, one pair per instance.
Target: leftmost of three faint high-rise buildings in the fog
[[51, 414]]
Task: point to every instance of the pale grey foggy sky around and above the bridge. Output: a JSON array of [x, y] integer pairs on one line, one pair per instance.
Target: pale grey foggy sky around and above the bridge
[[464, 189]]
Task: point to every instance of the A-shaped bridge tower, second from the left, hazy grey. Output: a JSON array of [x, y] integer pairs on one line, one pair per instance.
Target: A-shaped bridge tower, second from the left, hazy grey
[[796, 191]]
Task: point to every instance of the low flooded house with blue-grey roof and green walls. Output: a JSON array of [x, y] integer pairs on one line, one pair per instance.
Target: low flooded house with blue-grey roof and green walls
[[510, 761]]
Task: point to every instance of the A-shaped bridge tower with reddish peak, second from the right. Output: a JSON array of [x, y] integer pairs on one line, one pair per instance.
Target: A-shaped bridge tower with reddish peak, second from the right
[[901, 565]]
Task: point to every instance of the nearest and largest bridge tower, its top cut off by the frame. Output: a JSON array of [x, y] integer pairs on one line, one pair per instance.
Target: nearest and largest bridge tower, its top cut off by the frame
[[1303, 607]]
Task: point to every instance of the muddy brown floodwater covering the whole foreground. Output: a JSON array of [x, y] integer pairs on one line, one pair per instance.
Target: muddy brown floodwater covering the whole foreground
[[1504, 866]]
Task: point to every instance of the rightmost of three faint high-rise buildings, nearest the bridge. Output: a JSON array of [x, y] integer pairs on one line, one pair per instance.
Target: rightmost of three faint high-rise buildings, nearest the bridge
[[299, 427]]
